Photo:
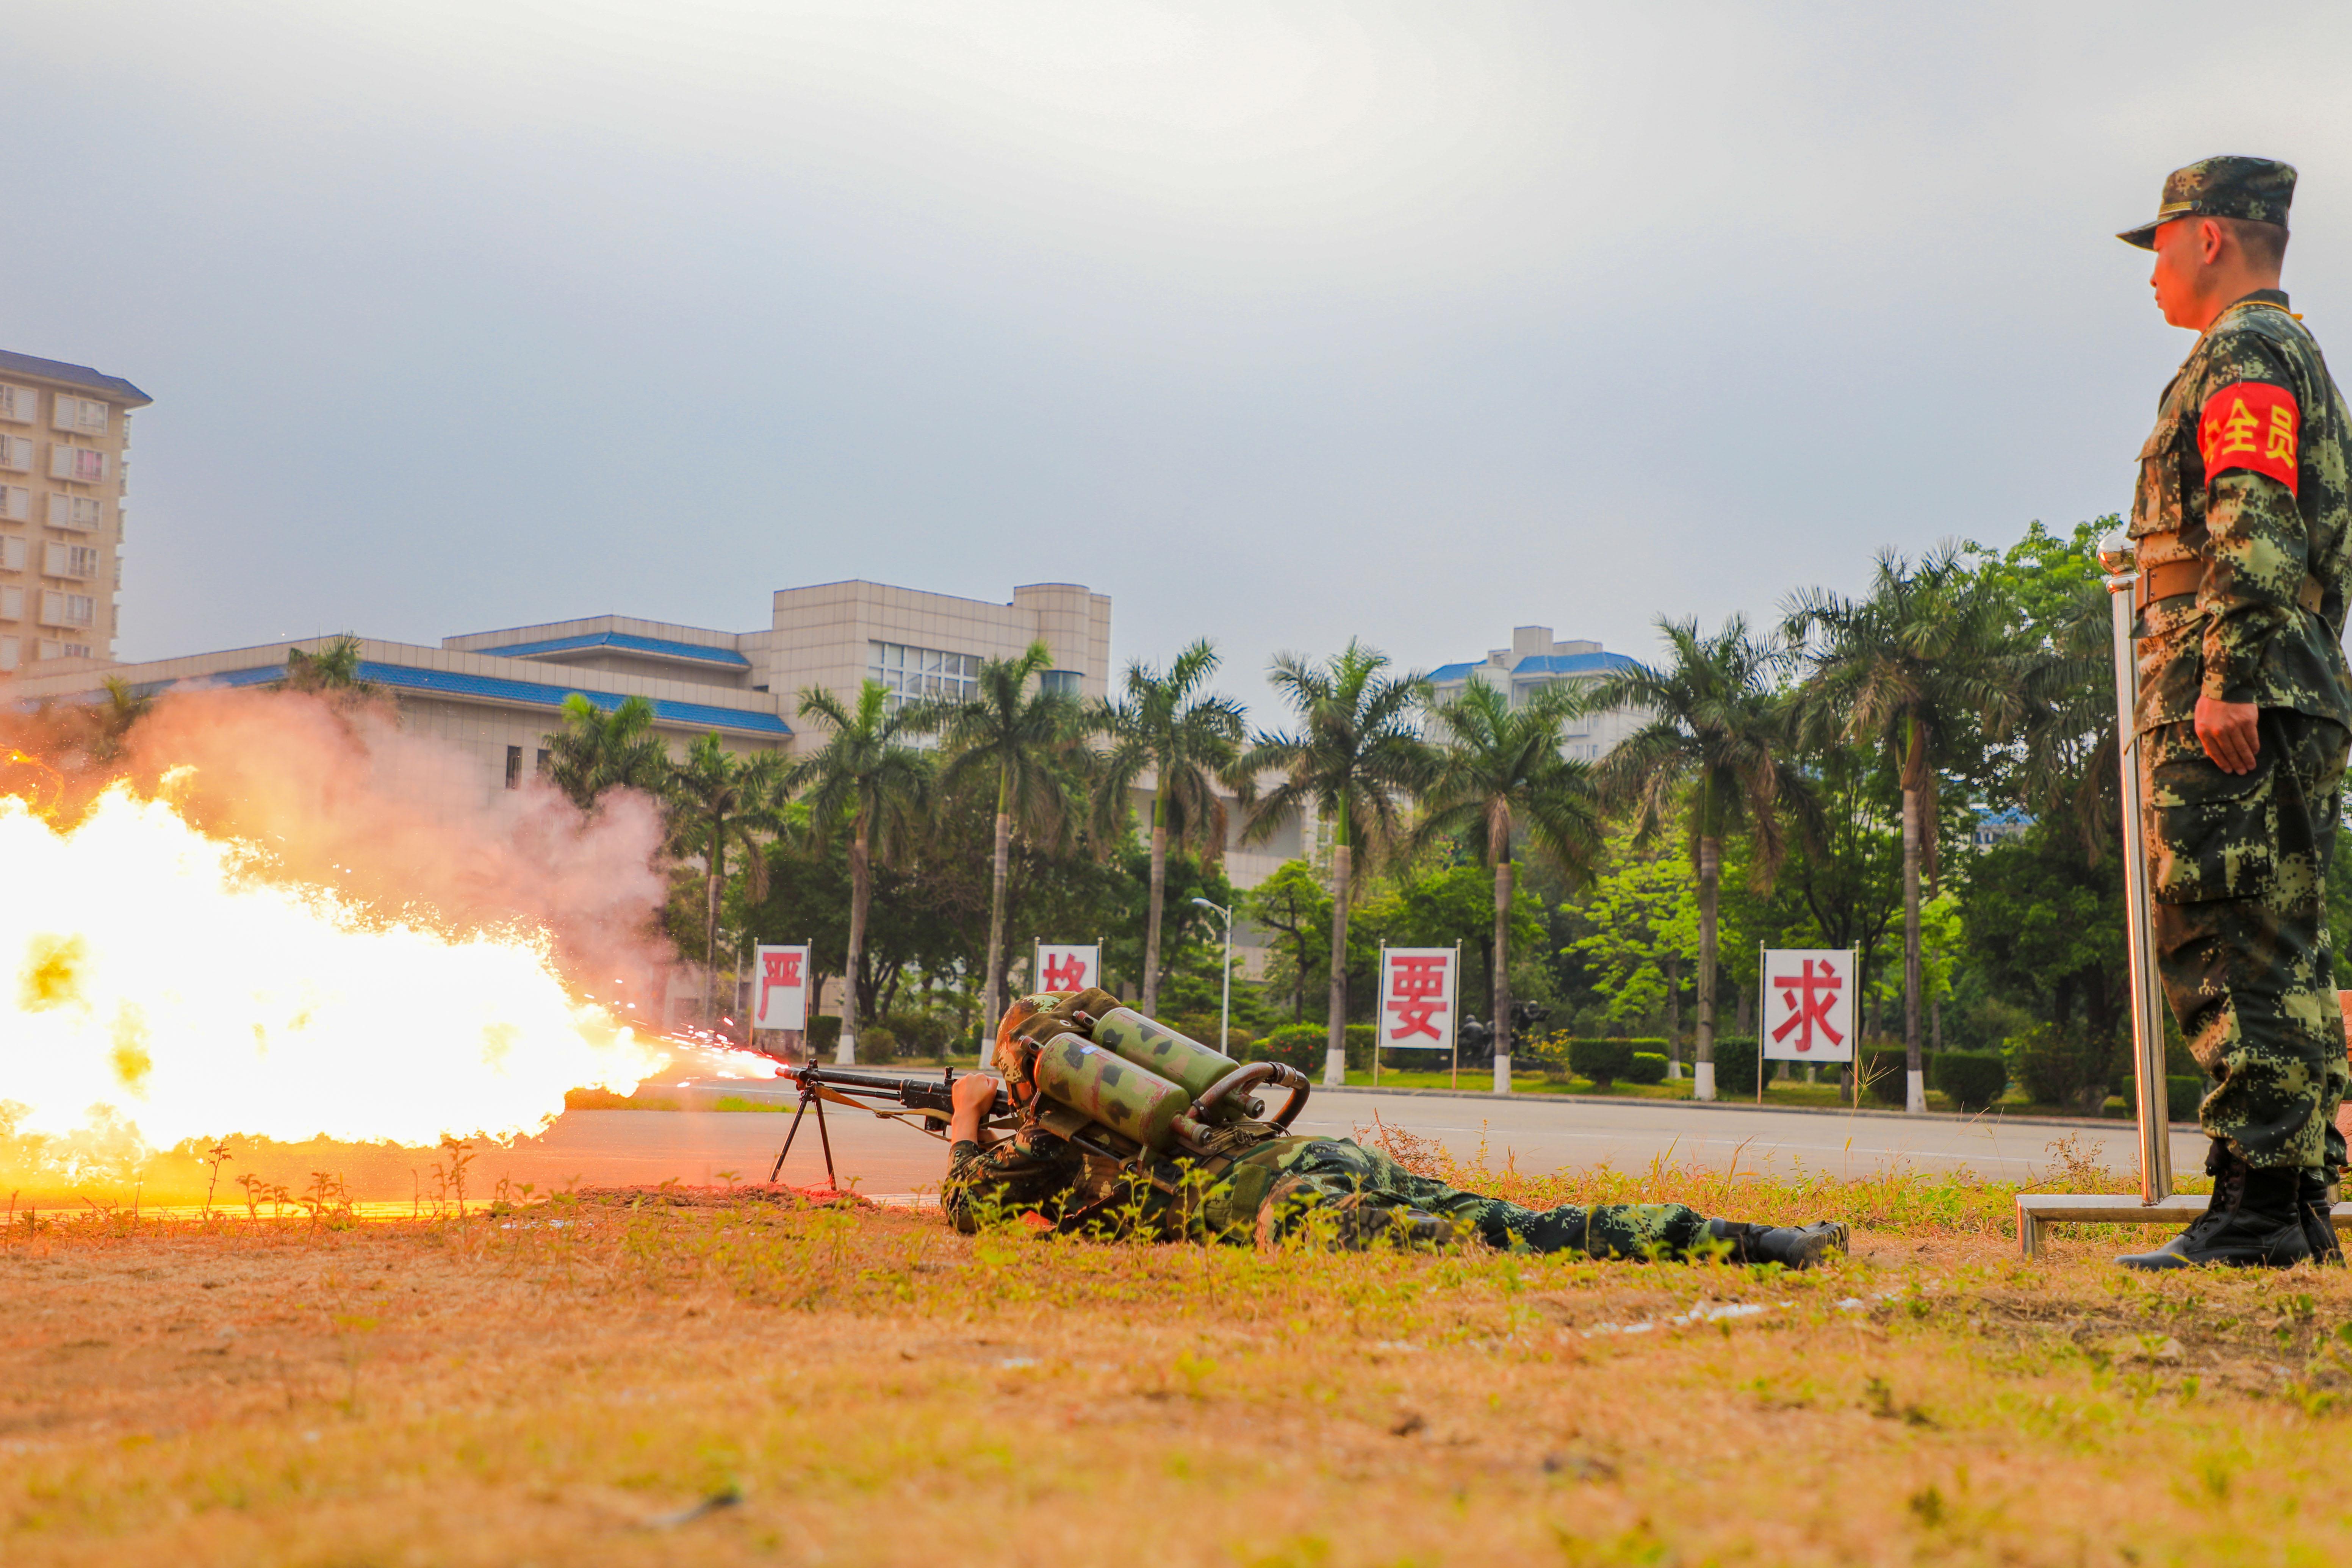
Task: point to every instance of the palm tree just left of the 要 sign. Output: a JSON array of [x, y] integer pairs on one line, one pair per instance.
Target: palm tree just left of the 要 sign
[[1354, 760]]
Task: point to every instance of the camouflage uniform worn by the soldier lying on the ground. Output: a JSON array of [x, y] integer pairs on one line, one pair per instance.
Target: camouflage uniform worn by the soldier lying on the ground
[[1271, 1188]]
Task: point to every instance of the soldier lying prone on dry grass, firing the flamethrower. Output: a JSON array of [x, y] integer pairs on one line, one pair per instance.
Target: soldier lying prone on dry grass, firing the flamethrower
[[1250, 1181]]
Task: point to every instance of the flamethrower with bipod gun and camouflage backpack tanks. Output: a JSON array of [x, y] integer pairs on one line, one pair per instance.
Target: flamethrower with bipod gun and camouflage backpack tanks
[[1121, 1087]]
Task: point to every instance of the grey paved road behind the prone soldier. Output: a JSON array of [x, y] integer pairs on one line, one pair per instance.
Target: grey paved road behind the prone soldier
[[1537, 1132]]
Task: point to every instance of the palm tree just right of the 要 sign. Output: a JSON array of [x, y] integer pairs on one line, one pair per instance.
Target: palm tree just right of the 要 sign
[[1502, 775]]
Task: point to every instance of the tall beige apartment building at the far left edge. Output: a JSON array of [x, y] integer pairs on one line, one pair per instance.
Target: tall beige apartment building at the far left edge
[[65, 434]]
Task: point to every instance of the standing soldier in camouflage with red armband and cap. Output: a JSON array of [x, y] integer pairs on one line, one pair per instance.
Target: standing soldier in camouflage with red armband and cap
[[2245, 540]]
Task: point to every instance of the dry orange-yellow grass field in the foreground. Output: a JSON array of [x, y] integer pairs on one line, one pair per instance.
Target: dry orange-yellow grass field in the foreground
[[754, 1376]]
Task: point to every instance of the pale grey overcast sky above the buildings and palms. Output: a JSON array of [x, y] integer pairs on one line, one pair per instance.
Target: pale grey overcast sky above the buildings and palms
[[1278, 323]]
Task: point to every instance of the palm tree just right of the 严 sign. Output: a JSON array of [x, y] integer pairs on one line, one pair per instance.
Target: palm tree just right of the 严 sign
[[871, 777]]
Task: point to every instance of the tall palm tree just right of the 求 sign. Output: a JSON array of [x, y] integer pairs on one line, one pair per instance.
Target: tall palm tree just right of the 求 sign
[[1913, 666]]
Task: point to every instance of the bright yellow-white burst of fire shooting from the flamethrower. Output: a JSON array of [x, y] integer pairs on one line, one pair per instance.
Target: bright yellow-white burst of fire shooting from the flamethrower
[[159, 981]]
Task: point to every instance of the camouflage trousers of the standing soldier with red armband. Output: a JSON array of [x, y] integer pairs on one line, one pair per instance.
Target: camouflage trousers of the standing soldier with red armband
[[2240, 869]]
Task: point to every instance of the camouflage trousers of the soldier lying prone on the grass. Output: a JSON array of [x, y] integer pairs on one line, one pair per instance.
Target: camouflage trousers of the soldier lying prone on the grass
[[1337, 1181]]
